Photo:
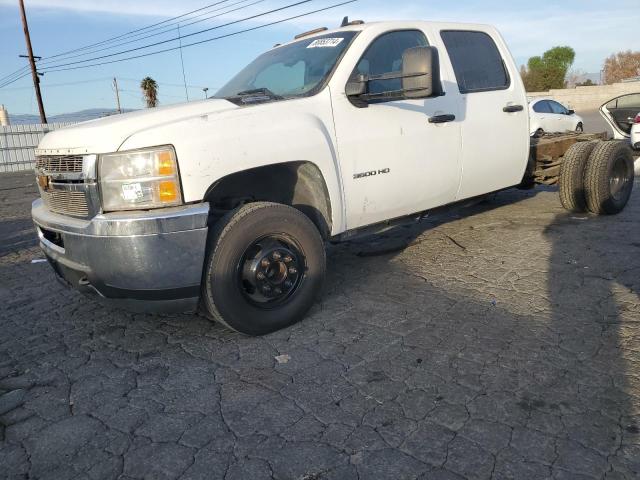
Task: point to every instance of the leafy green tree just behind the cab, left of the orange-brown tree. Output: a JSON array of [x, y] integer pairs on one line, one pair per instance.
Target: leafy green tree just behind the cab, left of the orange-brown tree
[[549, 70]]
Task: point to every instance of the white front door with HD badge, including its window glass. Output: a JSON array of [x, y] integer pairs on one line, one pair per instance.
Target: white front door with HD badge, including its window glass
[[393, 160]]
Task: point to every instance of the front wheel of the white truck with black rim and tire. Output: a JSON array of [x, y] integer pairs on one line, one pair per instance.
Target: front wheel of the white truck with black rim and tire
[[265, 268]]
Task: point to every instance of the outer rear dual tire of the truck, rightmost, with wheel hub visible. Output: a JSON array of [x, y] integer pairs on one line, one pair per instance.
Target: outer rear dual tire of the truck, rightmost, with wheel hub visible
[[608, 178]]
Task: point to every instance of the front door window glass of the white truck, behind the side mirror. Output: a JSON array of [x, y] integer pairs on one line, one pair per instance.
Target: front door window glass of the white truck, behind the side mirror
[[384, 55]]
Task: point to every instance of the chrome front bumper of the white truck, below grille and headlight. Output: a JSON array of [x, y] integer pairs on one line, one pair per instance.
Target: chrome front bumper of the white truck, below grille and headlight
[[145, 261]]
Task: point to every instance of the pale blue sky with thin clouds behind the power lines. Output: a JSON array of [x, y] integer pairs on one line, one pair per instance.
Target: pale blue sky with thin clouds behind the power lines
[[595, 29]]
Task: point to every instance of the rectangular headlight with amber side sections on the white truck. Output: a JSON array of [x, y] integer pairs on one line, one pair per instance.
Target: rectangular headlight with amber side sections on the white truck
[[138, 179]]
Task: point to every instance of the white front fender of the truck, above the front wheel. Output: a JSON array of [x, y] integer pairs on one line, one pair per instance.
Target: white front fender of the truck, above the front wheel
[[213, 146]]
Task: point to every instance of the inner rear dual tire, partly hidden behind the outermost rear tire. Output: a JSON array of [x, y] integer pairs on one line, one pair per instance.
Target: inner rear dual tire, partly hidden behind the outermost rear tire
[[571, 180]]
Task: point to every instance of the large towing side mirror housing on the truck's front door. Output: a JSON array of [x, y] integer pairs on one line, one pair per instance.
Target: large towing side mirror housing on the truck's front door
[[420, 72]]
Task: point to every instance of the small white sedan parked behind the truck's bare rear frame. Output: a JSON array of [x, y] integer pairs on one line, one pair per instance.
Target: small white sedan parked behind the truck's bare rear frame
[[546, 115]]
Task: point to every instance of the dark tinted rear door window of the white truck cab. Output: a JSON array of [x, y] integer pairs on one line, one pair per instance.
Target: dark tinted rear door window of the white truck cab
[[477, 62]]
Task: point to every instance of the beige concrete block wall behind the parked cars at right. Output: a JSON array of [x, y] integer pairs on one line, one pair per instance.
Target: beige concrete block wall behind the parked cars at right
[[588, 98]]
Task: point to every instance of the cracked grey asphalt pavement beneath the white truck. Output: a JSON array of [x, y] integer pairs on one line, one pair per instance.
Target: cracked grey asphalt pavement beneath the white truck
[[498, 342]]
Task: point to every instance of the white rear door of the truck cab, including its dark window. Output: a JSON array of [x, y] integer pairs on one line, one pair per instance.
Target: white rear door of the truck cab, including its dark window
[[495, 125]]
